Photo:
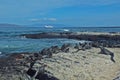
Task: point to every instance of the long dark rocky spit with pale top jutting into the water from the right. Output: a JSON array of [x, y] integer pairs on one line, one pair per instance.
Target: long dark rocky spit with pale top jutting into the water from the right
[[103, 39]]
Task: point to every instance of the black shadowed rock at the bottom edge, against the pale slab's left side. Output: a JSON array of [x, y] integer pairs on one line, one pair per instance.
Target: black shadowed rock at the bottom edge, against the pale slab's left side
[[39, 72]]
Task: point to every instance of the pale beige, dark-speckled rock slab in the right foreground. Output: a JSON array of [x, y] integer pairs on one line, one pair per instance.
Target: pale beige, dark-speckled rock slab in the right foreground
[[84, 65]]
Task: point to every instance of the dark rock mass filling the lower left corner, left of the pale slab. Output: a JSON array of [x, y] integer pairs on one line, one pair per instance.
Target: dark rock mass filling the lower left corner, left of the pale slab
[[24, 66]]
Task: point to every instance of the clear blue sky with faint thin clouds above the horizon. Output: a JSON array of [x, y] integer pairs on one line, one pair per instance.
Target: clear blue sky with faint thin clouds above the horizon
[[69, 12]]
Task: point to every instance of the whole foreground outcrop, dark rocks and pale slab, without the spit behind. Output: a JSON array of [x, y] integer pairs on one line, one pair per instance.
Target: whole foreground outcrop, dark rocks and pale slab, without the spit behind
[[21, 66]]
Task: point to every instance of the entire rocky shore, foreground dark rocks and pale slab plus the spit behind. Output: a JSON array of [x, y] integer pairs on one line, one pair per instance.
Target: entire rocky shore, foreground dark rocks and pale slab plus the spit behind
[[98, 59]]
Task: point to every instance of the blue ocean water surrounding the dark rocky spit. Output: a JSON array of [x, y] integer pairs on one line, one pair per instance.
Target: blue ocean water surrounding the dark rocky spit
[[11, 42]]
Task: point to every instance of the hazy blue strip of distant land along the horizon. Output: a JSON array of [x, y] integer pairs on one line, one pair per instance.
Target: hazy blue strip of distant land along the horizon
[[53, 25]]
